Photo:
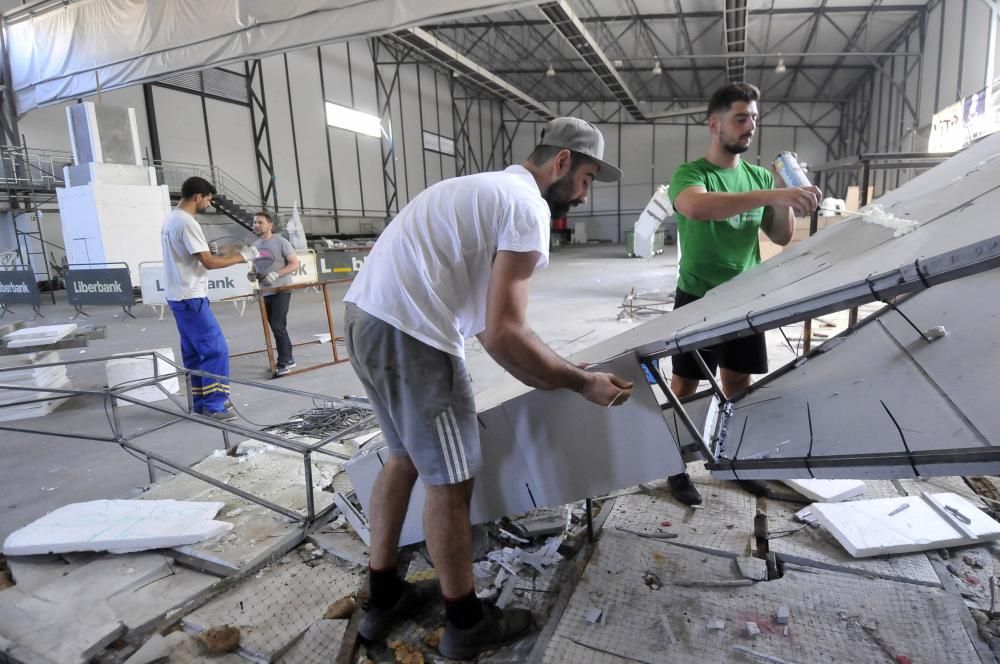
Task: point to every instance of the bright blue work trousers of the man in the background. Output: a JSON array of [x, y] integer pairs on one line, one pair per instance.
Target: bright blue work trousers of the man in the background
[[203, 348]]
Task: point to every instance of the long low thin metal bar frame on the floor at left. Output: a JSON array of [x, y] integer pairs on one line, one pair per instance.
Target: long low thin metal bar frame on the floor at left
[[183, 411]]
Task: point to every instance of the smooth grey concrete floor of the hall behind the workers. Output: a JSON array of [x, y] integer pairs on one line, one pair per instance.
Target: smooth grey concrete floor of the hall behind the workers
[[574, 303]]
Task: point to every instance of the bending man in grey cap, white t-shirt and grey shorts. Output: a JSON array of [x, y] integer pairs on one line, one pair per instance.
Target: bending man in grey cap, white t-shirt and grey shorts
[[456, 262]]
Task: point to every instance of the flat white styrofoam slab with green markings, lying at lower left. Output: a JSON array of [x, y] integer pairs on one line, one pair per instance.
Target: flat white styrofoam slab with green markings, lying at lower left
[[118, 526]]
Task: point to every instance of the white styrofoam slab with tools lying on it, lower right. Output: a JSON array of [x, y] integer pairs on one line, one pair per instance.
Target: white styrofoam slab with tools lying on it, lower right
[[864, 527]]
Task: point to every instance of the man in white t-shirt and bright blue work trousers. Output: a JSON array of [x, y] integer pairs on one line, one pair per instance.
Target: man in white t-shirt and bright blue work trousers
[[186, 262]]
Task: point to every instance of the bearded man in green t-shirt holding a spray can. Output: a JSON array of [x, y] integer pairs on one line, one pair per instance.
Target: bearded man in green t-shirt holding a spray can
[[721, 202]]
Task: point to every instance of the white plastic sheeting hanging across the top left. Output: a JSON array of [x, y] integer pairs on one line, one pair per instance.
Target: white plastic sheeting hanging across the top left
[[64, 52]]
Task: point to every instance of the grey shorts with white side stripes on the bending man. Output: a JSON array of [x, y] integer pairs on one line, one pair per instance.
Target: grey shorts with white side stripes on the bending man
[[422, 398]]
